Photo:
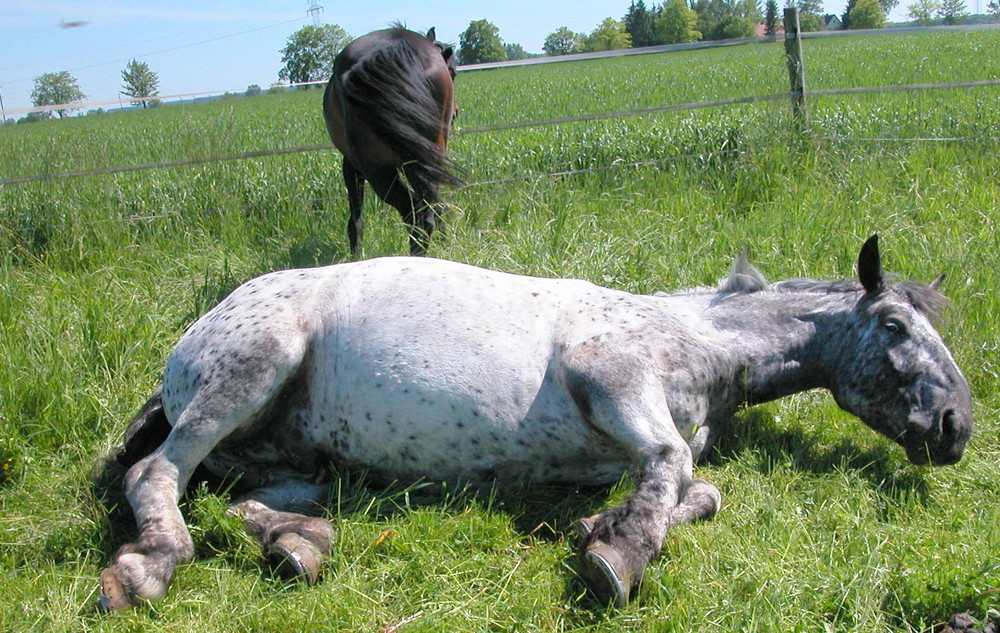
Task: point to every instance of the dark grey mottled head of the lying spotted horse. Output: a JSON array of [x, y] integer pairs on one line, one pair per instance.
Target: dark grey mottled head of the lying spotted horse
[[896, 373]]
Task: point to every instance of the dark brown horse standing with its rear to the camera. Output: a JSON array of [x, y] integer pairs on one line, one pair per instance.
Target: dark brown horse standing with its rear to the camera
[[389, 108]]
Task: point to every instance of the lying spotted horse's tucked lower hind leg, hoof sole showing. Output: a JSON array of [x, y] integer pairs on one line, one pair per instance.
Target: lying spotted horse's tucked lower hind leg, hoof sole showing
[[293, 543]]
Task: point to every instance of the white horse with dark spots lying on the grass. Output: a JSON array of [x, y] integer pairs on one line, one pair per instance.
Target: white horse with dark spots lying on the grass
[[423, 368]]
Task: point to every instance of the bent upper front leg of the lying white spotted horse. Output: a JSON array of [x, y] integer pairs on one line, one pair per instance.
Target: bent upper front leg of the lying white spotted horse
[[621, 395]]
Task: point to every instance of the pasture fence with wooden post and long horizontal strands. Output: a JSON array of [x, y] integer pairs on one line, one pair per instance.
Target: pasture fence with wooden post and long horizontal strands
[[798, 95]]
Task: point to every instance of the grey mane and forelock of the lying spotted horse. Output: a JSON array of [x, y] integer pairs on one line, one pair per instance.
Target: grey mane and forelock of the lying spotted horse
[[744, 278]]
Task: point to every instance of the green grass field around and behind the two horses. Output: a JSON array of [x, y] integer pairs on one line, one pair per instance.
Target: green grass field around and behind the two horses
[[825, 526]]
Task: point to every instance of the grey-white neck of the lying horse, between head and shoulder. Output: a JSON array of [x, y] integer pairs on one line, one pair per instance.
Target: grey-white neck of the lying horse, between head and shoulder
[[784, 342]]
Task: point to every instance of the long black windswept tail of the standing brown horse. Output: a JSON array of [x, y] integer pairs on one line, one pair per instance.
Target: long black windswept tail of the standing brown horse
[[391, 92]]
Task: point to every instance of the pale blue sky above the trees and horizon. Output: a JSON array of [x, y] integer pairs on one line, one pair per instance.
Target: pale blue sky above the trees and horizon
[[216, 46]]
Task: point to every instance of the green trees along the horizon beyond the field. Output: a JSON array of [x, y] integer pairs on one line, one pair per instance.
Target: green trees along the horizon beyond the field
[[309, 52]]
